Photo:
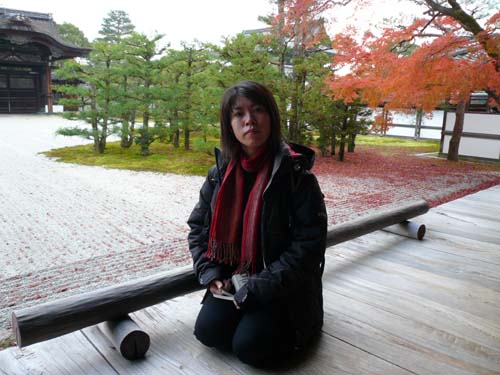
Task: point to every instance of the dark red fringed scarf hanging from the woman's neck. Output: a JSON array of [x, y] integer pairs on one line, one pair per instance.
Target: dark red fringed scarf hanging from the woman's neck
[[234, 233]]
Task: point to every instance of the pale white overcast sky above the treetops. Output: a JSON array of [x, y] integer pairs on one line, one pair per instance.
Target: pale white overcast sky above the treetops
[[184, 20]]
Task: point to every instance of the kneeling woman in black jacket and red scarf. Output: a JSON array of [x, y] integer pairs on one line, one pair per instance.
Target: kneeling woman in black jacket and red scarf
[[260, 212]]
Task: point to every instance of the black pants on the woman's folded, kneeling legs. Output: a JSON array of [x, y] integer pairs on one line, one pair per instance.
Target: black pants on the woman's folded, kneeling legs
[[257, 337]]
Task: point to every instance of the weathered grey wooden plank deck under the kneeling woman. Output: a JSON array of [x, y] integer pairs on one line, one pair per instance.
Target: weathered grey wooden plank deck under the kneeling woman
[[392, 306]]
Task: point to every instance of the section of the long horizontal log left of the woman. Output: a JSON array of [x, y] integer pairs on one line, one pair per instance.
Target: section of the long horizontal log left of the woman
[[56, 318]]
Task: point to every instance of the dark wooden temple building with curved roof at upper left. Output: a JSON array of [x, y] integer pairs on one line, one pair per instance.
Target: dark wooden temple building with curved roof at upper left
[[29, 46]]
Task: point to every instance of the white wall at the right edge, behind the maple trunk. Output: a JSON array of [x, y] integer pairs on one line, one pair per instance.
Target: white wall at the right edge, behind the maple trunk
[[480, 136]]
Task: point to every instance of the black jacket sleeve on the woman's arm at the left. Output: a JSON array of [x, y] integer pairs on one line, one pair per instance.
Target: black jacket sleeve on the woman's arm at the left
[[199, 223]]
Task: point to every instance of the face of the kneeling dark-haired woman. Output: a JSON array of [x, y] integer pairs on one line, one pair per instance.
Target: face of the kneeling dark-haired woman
[[251, 125]]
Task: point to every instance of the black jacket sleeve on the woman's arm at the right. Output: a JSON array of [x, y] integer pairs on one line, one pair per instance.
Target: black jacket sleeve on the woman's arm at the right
[[302, 258]]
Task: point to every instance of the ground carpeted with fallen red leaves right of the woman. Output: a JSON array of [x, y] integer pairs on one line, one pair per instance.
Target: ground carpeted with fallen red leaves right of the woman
[[372, 178]]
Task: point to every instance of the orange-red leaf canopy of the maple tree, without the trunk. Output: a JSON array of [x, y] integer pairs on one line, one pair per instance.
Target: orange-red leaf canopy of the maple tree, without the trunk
[[423, 79]]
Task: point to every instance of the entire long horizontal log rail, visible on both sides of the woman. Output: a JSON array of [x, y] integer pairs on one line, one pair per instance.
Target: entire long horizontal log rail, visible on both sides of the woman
[[56, 318]]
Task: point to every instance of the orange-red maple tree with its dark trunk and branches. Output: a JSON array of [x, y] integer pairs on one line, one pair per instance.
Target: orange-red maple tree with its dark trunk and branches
[[442, 57]]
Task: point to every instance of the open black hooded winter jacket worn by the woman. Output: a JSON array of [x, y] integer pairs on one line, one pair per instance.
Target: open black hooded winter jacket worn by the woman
[[293, 238]]
